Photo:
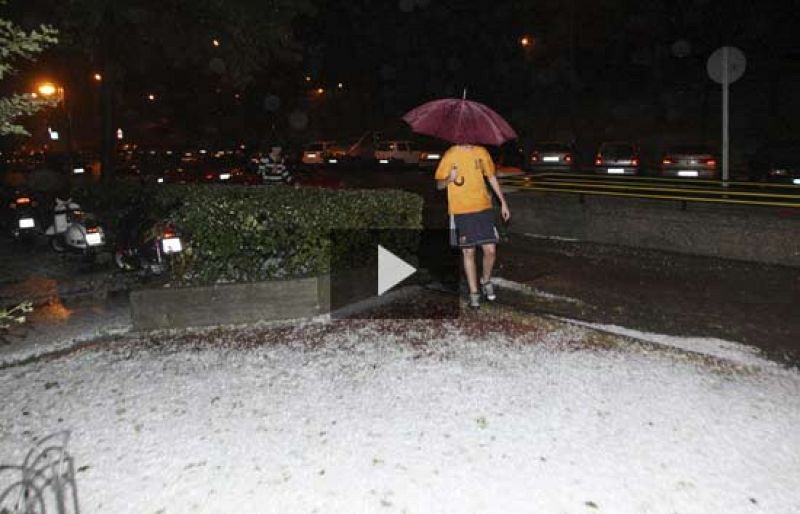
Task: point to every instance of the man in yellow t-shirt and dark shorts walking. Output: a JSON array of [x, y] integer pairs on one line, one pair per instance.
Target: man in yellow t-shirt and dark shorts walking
[[463, 171]]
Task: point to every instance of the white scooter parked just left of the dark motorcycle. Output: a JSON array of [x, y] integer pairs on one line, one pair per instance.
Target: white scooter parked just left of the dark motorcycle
[[73, 230]]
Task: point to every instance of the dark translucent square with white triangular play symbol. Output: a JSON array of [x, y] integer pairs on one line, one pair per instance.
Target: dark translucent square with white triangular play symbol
[[393, 274]]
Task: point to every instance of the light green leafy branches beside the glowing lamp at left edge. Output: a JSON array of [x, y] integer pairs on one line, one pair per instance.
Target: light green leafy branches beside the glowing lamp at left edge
[[16, 45]]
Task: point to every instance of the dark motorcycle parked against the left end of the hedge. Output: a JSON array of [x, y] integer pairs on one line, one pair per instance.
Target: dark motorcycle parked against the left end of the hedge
[[150, 246]]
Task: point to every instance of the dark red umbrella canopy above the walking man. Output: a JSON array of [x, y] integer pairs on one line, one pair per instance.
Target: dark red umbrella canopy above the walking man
[[460, 121]]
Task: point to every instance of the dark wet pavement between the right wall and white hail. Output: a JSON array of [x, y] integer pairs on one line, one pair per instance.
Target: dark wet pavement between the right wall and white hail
[[647, 290]]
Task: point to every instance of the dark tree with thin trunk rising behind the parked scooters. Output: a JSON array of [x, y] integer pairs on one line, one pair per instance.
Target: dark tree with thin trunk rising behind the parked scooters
[[185, 50]]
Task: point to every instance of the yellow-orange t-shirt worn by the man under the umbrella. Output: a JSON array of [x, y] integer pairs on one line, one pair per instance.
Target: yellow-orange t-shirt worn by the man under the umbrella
[[472, 164]]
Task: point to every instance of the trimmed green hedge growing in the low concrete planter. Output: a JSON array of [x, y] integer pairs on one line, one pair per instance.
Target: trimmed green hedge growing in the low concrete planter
[[243, 234]]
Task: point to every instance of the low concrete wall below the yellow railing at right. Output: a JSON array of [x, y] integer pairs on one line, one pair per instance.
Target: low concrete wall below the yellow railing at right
[[758, 234]]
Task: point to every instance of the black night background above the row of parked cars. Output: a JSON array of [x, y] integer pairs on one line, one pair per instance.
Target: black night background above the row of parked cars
[[595, 70]]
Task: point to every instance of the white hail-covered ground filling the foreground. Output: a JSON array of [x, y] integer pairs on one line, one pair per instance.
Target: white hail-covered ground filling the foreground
[[489, 413]]
